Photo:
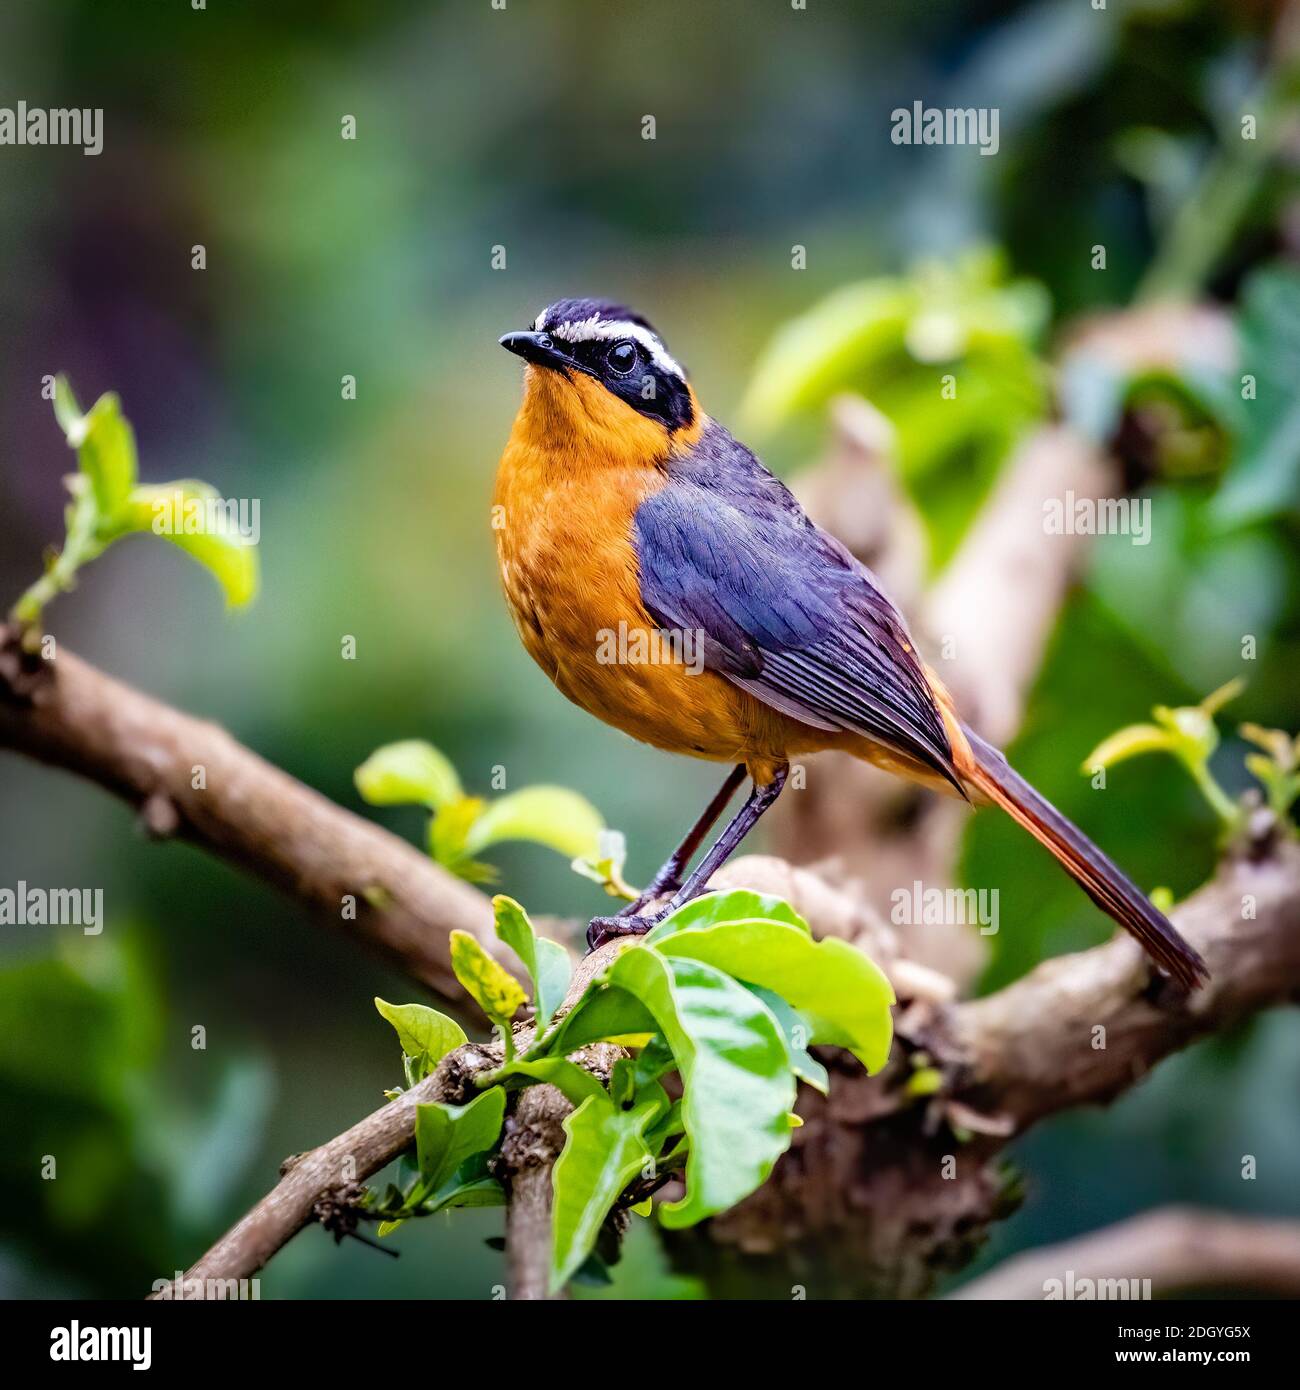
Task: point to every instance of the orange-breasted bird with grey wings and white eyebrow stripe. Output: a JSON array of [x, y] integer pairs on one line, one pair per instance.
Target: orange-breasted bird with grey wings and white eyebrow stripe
[[743, 633]]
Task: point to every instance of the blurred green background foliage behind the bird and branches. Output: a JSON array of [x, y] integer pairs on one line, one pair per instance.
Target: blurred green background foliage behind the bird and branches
[[522, 129]]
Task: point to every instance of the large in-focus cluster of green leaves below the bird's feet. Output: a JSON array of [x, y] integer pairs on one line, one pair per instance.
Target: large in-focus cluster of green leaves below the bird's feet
[[728, 995]]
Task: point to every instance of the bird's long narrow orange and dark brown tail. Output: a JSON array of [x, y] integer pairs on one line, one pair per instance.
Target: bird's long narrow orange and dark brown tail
[[1098, 876]]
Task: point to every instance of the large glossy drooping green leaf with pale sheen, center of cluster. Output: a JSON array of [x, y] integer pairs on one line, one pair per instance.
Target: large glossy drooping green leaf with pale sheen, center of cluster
[[739, 1089]]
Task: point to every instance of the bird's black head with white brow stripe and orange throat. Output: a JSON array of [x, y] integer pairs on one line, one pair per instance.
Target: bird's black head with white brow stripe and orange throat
[[600, 369]]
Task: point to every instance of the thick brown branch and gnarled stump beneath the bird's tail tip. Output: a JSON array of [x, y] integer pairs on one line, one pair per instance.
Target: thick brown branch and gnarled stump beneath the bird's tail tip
[[886, 1189]]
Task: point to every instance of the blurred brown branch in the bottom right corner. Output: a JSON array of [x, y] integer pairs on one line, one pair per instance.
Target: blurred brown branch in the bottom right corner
[[1178, 1249]]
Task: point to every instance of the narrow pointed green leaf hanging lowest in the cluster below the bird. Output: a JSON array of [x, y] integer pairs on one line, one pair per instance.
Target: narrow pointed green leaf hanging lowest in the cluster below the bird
[[606, 1150]]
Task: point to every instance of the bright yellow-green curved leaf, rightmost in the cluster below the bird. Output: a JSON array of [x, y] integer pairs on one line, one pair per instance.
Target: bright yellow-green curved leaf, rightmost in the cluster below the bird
[[843, 993]]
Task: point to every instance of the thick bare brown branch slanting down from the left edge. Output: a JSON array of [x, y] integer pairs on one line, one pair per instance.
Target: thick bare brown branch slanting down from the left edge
[[350, 871]]
